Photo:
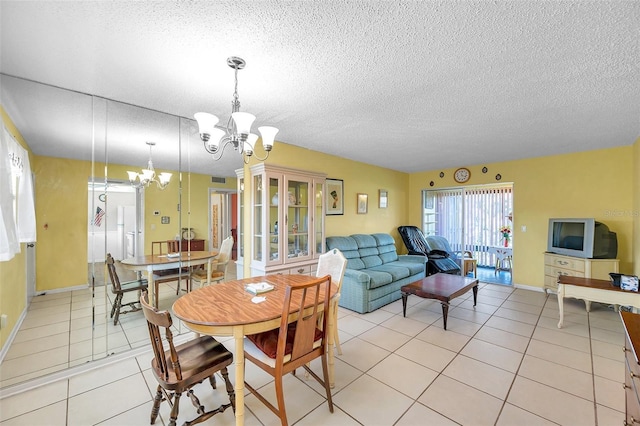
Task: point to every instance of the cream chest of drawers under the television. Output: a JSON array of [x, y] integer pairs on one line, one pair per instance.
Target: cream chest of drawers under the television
[[557, 264]]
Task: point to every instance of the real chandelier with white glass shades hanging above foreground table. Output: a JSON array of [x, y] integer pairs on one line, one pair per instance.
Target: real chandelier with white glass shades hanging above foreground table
[[238, 129]]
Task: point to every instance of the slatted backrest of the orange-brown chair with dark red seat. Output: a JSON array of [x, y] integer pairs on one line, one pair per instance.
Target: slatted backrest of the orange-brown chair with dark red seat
[[306, 331]]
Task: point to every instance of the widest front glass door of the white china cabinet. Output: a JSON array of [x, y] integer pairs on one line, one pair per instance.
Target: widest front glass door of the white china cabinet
[[298, 214]]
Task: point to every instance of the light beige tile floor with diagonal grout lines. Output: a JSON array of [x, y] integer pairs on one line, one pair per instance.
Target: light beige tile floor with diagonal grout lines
[[504, 362]]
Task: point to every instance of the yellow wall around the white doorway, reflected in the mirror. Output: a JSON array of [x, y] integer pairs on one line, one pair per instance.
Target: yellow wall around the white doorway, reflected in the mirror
[[61, 215]]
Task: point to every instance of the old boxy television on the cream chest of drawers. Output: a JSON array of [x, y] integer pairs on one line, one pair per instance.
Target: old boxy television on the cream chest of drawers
[[583, 237]]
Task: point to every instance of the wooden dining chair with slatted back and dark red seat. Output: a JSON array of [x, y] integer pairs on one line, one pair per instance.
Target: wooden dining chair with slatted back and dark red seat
[[282, 350]]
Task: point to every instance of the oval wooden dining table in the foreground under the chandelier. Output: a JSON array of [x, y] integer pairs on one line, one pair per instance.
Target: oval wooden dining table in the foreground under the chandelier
[[227, 309]]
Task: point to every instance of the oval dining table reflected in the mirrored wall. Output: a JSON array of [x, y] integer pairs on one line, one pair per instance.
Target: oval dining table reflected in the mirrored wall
[[163, 262]]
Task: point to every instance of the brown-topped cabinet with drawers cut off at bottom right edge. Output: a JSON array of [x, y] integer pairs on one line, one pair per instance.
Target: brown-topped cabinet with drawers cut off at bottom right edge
[[631, 324]]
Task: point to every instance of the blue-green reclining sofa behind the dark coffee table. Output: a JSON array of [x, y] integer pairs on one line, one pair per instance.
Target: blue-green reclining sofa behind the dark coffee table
[[375, 272]]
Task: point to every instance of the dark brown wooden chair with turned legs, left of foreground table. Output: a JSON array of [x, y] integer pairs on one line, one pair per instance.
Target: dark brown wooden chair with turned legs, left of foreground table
[[178, 368]]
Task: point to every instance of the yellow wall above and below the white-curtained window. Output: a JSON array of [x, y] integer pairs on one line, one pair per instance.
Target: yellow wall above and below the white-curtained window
[[13, 280]]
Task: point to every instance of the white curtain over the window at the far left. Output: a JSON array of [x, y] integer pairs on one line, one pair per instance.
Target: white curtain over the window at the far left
[[17, 206]]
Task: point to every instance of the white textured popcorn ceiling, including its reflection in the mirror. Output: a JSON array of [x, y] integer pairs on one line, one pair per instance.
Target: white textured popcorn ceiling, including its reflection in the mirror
[[410, 86]]
